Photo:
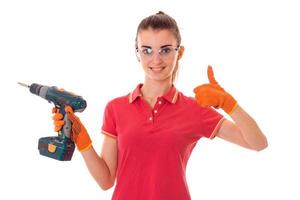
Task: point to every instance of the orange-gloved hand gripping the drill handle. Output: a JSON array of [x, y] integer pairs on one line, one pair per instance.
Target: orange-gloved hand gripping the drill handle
[[79, 134]]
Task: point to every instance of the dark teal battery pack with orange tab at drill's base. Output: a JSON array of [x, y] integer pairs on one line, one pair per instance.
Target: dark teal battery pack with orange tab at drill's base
[[56, 147]]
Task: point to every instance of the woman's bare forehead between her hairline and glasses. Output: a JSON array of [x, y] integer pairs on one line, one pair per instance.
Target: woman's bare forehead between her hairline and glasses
[[156, 38]]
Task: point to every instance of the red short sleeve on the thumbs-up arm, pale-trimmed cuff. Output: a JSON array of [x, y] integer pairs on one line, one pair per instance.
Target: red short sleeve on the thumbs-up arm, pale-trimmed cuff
[[211, 122]]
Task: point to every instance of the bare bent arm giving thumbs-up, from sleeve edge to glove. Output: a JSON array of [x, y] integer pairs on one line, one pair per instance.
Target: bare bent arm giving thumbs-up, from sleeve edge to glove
[[244, 131]]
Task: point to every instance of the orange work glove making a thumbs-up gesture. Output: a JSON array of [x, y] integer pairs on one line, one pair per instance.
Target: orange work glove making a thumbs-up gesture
[[212, 94]]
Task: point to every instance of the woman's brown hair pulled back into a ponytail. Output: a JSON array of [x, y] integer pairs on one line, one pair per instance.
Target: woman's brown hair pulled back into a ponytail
[[161, 21]]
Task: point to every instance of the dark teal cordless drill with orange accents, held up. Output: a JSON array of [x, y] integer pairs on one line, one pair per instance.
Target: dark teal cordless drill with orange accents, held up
[[60, 147]]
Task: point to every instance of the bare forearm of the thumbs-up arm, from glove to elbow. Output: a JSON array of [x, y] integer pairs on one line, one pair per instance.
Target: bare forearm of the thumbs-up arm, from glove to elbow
[[249, 129]]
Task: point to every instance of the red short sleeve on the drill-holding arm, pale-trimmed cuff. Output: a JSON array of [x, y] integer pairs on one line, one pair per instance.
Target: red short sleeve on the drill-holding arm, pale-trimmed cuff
[[109, 122]]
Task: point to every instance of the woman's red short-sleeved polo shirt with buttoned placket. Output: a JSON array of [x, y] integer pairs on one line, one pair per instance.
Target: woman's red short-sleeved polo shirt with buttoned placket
[[154, 145]]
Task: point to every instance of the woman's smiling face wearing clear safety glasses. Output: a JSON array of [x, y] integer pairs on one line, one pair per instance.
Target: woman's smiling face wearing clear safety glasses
[[158, 53]]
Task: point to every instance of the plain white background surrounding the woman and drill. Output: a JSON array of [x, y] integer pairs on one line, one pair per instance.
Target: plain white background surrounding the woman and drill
[[88, 47]]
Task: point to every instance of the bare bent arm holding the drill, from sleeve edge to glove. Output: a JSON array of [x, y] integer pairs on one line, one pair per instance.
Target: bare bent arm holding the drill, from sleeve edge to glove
[[103, 167]]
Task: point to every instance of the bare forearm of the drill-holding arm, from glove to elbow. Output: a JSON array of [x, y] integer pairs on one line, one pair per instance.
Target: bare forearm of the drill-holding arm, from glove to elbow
[[98, 168]]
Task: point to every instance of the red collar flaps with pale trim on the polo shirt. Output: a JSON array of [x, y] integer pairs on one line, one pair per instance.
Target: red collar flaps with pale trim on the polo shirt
[[170, 96]]
